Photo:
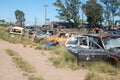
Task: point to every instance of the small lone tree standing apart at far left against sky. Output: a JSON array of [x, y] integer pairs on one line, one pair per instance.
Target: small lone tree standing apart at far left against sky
[[20, 16]]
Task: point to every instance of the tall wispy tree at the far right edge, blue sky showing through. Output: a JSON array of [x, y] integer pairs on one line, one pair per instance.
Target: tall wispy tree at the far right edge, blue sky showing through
[[112, 9]]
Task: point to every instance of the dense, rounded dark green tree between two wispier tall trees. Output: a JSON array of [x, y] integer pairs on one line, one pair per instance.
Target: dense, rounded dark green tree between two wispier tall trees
[[93, 12]]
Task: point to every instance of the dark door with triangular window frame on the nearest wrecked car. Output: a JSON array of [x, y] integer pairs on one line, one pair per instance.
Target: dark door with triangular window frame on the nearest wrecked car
[[93, 53]]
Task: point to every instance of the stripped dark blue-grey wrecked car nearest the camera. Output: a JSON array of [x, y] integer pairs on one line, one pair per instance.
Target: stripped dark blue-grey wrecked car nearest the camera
[[92, 47]]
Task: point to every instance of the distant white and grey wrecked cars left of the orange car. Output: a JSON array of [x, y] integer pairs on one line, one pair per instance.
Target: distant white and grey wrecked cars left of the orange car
[[33, 33]]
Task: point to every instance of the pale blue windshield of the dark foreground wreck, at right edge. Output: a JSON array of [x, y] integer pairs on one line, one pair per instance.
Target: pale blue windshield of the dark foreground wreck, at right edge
[[112, 42]]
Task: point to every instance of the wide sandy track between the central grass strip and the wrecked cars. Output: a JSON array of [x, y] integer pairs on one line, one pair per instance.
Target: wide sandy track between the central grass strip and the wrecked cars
[[43, 66]]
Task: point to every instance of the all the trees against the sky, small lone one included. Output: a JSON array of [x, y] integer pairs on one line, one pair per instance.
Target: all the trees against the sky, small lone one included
[[96, 12]]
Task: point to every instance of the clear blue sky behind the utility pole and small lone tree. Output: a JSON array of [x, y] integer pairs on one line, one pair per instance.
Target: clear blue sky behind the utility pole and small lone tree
[[32, 9]]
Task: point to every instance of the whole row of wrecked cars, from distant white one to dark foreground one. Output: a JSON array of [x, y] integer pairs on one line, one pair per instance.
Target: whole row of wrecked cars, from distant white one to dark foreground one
[[87, 48]]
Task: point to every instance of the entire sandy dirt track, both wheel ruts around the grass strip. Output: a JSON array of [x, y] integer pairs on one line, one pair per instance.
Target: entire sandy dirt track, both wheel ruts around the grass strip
[[39, 59]]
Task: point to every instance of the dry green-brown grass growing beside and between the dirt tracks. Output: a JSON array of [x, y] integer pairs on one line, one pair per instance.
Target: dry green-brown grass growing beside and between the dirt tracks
[[60, 58]]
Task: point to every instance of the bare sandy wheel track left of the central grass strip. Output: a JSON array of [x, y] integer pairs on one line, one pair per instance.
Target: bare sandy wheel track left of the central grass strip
[[8, 70]]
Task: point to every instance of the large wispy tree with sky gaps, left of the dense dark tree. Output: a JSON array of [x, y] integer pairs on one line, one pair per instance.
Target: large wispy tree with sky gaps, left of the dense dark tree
[[68, 11]]
